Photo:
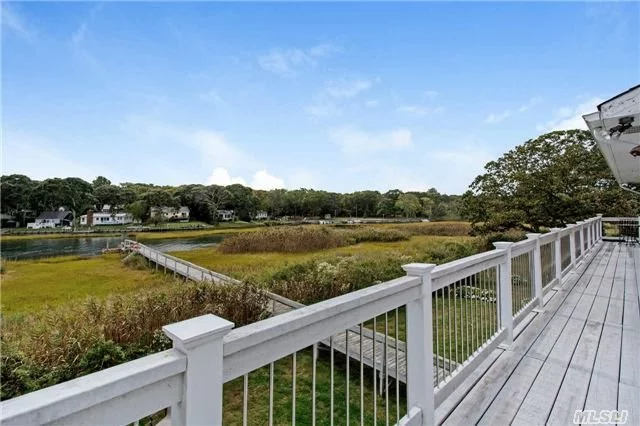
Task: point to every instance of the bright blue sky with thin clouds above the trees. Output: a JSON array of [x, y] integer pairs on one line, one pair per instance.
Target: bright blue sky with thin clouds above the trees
[[335, 96]]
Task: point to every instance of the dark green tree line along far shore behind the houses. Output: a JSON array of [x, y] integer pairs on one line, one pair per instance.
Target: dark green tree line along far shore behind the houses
[[20, 194]]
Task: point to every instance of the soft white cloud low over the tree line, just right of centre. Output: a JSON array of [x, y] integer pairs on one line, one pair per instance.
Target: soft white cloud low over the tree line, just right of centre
[[353, 141]]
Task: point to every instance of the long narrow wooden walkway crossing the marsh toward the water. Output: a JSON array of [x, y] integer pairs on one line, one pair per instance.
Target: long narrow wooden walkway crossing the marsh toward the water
[[387, 355]]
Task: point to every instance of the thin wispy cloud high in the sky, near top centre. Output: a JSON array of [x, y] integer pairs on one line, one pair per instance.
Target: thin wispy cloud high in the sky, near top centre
[[285, 62]]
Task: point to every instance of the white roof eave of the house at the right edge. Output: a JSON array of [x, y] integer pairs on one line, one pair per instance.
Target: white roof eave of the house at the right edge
[[616, 129]]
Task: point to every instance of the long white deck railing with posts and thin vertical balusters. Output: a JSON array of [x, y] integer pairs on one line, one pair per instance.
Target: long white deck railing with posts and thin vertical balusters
[[447, 319]]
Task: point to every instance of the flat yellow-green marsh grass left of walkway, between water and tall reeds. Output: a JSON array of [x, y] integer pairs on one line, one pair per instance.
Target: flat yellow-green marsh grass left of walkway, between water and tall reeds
[[31, 285]]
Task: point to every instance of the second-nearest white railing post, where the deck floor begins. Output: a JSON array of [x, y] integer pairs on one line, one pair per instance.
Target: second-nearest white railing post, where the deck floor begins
[[420, 346]]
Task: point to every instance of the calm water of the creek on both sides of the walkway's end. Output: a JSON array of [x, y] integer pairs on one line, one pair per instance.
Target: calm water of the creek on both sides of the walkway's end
[[38, 248]]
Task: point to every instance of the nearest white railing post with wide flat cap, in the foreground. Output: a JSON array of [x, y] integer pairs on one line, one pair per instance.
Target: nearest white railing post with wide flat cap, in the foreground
[[200, 339]]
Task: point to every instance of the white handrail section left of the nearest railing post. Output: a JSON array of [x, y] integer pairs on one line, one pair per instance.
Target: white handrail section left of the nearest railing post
[[65, 399]]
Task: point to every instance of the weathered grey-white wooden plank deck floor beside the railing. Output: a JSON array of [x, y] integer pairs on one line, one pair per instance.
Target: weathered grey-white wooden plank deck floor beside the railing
[[581, 353]]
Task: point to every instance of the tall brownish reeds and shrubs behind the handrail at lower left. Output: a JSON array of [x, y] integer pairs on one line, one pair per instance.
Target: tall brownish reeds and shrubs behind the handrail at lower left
[[51, 347]]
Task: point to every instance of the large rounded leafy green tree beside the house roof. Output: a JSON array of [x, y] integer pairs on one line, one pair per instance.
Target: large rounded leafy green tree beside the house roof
[[555, 179]]
